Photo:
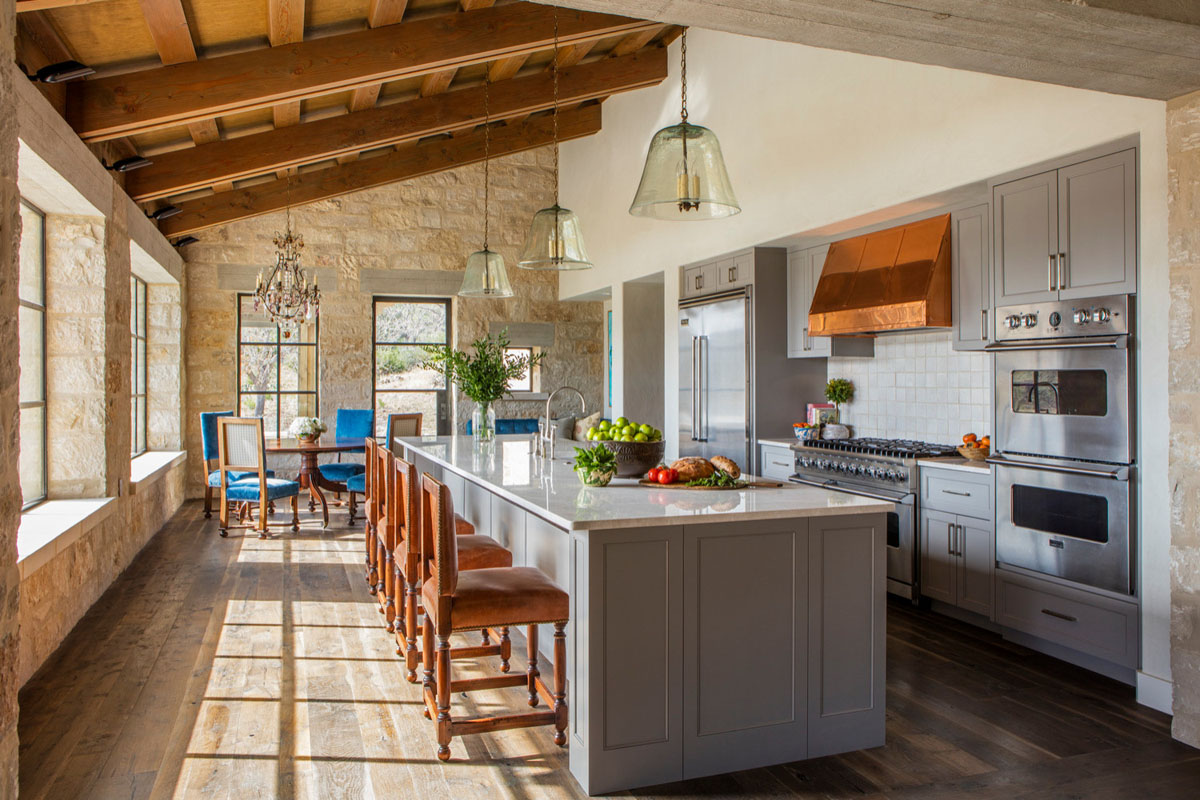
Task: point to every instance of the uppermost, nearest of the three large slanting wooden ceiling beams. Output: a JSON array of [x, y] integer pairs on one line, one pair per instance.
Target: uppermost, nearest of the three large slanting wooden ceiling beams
[[188, 93]]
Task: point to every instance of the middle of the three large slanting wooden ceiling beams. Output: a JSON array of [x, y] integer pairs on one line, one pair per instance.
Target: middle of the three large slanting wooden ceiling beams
[[183, 171]]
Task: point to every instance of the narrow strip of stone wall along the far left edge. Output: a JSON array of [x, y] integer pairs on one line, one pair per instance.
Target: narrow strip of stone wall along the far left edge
[[10, 485]]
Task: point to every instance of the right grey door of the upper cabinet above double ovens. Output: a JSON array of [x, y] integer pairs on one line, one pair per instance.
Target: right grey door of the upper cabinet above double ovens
[[1099, 227]]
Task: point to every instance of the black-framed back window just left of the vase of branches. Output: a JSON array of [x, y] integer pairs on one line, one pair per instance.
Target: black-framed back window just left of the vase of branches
[[403, 328]]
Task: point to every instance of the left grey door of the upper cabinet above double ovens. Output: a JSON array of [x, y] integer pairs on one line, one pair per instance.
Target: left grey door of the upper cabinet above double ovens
[[1027, 233]]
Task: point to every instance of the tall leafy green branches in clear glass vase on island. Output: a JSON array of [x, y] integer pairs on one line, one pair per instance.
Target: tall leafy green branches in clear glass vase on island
[[483, 377]]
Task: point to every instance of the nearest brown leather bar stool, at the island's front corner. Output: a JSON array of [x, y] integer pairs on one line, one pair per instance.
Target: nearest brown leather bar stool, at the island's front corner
[[458, 600]]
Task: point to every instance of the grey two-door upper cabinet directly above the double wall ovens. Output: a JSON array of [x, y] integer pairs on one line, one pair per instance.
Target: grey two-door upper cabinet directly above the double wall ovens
[[1067, 233]]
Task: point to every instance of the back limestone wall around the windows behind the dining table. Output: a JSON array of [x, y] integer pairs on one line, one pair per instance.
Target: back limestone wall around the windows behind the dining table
[[430, 224]]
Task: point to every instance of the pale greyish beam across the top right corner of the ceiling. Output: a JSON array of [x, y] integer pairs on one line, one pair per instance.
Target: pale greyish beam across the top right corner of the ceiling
[[1145, 49]]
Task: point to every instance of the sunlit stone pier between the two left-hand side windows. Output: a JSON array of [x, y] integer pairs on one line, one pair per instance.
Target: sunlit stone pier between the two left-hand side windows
[[75, 357]]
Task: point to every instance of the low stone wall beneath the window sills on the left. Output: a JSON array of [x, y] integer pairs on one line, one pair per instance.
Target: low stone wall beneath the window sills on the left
[[57, 597]]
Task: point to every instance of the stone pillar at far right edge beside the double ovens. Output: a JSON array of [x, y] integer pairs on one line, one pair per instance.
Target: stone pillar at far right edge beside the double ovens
[[1184, 243]]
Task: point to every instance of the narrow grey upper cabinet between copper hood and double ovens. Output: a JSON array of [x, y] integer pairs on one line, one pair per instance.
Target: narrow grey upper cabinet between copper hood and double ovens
[[971, 261]]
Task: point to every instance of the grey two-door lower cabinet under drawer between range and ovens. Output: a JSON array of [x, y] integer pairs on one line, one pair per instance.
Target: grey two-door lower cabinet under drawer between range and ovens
[[958, 561]]
